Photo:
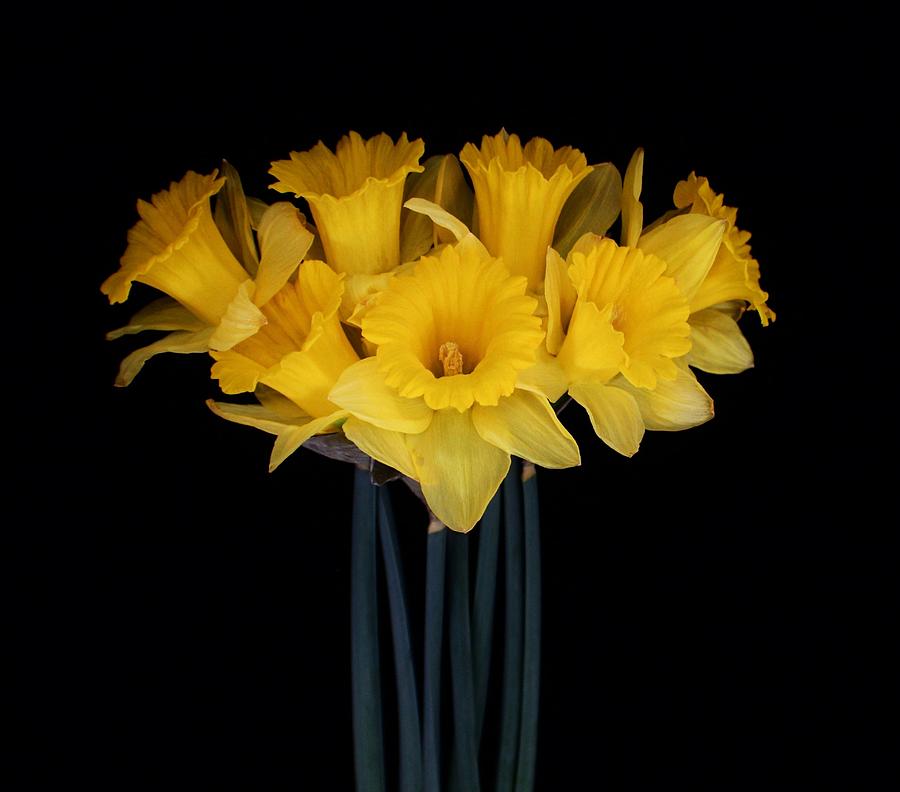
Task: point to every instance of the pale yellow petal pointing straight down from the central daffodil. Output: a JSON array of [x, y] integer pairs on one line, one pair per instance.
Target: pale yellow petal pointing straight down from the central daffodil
[[459, 471]]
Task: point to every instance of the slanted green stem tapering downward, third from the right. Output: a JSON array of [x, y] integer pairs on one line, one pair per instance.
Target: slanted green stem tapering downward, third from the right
[[485, 595]]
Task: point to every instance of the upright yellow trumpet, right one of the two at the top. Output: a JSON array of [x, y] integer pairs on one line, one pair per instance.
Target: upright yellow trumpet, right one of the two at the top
[[520, 192]]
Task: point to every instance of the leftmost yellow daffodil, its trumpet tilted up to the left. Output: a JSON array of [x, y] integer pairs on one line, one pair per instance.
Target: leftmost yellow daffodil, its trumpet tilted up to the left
[[177, 248]]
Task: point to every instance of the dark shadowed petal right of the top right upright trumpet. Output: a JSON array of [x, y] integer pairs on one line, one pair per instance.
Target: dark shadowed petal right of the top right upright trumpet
[[592, 207]]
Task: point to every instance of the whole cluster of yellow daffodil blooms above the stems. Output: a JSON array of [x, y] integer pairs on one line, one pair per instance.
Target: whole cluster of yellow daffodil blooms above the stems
[[434, 325]]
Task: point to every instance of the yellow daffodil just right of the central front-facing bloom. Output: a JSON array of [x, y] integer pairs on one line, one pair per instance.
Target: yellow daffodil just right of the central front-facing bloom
[[617, 324]]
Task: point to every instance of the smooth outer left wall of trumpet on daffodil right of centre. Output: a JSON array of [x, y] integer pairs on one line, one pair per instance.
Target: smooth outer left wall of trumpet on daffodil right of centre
[[593, 347]]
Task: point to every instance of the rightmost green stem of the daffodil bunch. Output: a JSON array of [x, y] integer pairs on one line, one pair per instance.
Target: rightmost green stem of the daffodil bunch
[[531, 665]]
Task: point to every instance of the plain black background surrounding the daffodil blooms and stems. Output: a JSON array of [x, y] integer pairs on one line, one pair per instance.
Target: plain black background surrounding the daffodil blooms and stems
[[719, 611]]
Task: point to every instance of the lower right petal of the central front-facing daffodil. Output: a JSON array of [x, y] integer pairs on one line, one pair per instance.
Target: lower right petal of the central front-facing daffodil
[[525, 425]]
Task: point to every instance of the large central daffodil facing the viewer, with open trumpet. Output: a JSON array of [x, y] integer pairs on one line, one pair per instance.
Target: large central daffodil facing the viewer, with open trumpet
[[441, 401]]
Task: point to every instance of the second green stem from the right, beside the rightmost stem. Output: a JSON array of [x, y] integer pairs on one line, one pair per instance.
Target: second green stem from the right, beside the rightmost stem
[[512, 660]]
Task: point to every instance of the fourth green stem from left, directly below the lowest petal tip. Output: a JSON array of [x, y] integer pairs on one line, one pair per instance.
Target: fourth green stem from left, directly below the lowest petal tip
[[464, 773]]
